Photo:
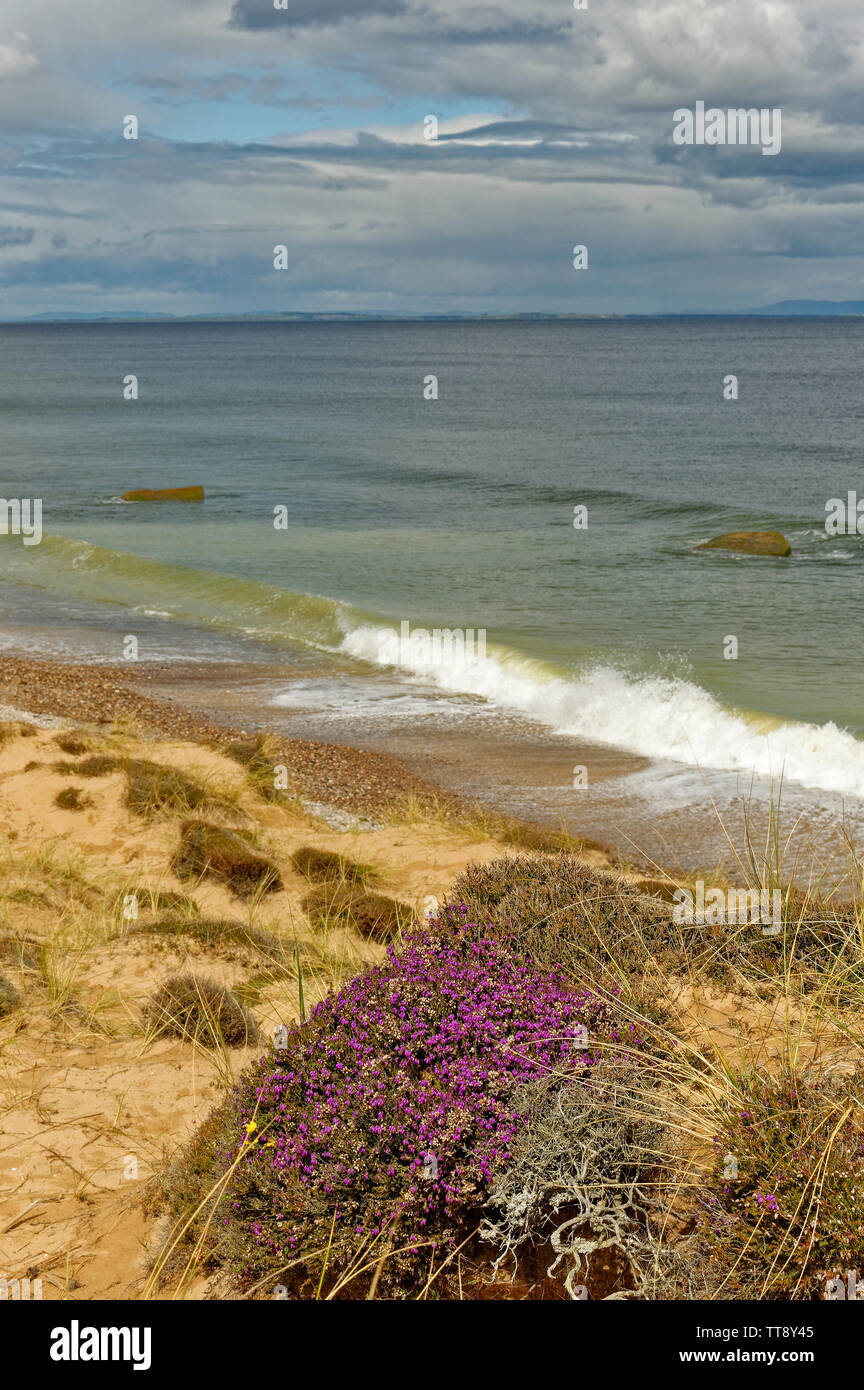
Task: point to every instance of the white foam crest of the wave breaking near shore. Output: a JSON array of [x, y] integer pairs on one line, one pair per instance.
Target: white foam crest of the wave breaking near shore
[[659, 718]]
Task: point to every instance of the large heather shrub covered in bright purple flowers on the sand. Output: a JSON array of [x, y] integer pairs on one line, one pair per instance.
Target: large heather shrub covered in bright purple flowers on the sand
[[374, 1134]]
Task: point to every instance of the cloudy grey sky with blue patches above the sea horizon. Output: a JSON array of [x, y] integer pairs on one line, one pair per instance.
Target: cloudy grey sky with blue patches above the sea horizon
[[306, 127]]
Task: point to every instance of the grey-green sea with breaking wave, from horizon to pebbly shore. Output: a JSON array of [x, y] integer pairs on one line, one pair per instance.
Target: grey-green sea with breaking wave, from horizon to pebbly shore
[[542, 486]]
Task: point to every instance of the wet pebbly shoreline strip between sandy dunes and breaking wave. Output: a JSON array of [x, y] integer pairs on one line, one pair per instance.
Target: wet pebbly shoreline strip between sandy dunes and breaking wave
[[640, 814]]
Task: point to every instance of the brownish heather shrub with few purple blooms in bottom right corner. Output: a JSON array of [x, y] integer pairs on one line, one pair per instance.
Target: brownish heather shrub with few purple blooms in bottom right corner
[[781, 1213]]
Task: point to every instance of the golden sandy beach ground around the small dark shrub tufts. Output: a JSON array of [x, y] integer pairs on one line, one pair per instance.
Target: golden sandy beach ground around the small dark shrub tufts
[[90, 1113]]
